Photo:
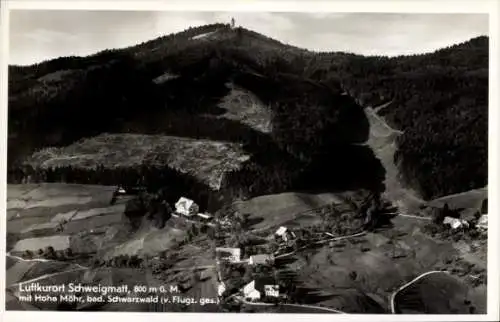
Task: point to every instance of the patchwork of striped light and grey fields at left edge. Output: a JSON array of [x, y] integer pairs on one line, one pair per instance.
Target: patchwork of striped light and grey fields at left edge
[[79, 209]]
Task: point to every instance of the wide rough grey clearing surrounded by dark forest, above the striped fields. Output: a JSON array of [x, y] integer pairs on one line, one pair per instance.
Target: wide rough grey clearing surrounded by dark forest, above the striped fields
[[204, 159]]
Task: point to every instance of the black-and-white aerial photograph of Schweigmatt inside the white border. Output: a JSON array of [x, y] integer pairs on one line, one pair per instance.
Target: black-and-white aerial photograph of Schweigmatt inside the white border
[[247, 162]]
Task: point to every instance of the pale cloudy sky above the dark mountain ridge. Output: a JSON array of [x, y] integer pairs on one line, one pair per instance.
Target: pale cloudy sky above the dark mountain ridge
[[39, 35]]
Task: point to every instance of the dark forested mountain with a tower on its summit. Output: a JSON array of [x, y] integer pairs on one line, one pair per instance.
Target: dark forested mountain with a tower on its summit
[[179, 85]]
